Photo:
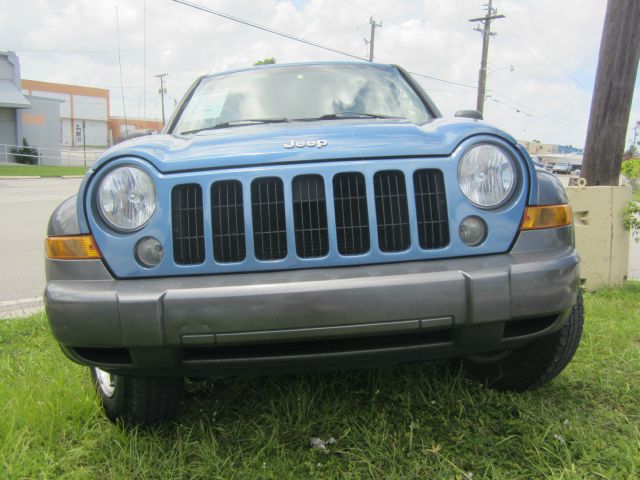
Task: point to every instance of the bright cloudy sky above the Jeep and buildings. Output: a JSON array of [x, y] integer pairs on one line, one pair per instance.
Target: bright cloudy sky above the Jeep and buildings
[[542, 62]]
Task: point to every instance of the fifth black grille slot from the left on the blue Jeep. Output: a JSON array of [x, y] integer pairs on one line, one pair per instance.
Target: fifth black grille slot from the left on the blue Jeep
[[352, 219]]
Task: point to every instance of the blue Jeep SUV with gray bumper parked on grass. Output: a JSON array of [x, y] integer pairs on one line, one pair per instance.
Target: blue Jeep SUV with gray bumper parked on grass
[[311, 216]]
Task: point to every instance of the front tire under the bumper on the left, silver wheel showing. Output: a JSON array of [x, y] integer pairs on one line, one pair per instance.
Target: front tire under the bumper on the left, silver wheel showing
[[137, 400]]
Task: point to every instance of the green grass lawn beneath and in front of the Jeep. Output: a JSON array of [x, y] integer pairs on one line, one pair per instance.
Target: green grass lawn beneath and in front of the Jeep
[[413, 422]]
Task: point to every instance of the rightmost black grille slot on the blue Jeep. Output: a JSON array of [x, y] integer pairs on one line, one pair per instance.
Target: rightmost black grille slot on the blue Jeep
[[431, 209]]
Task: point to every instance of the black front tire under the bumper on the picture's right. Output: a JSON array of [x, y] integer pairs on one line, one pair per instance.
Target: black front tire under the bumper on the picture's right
[[533, 365]]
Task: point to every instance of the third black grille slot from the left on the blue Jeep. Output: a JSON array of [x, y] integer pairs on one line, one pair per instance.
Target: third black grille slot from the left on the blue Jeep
[[269, 227]]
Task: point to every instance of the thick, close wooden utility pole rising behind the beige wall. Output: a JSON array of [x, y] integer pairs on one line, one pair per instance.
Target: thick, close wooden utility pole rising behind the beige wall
[[613, 93]]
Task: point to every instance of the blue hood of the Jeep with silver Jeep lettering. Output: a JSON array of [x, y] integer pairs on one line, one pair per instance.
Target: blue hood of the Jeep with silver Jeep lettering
[[263, 144]]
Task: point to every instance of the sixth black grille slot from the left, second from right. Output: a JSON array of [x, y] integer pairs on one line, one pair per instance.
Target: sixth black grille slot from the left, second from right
[[391, 211]]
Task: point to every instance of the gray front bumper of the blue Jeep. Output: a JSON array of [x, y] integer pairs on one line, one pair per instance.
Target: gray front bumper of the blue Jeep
[[87, 308]]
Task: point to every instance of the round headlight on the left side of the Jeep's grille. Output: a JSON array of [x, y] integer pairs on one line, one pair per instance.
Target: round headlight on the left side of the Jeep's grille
[[126, 198]]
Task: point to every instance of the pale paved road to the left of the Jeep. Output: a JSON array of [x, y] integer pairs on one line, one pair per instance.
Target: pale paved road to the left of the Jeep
[[25, 207]]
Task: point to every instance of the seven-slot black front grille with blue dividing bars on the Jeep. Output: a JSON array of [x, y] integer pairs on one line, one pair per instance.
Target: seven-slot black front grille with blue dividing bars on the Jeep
[[310, 216]]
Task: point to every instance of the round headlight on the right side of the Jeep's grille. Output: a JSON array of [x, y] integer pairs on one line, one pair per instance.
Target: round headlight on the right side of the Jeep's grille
[[487, 175]]
